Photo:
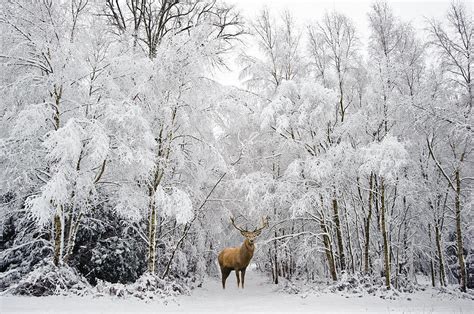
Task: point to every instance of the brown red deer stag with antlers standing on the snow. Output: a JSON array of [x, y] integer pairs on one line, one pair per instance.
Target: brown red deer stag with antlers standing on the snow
[[238, 258]]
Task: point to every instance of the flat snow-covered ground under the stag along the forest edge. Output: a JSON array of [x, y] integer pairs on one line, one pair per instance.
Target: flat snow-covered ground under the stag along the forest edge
[[259, 296]]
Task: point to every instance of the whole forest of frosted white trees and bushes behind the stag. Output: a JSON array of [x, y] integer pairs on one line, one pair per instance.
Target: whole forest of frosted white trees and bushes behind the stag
[[123, 159]]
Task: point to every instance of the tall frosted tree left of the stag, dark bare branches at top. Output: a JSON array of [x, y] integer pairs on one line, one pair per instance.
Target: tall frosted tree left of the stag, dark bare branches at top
[[182, 40]]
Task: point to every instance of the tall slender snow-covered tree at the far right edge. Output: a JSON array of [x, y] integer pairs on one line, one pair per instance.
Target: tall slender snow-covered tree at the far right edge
[[450, 143]]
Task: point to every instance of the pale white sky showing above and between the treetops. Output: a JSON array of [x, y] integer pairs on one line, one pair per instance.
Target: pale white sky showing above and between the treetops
[[307, 11]]
